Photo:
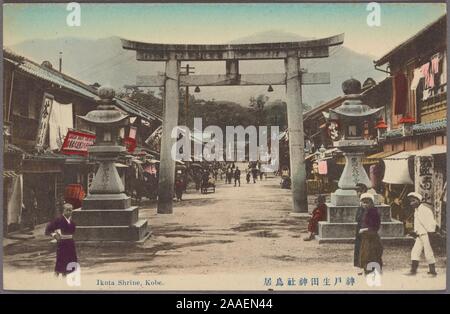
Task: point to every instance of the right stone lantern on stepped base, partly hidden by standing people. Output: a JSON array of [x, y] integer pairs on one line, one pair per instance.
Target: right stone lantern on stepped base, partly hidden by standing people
[[353, 117]]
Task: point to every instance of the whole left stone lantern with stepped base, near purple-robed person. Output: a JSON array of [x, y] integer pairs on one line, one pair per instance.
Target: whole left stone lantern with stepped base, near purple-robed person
[[106, 213]]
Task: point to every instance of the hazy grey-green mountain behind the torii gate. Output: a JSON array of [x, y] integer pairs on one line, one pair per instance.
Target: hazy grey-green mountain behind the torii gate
[[104, 61]]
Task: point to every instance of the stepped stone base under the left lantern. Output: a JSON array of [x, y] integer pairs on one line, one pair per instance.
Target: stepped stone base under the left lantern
[[109, 217]]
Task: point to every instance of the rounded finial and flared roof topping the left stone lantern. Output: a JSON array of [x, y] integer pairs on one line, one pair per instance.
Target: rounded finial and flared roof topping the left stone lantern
[[106, 112]]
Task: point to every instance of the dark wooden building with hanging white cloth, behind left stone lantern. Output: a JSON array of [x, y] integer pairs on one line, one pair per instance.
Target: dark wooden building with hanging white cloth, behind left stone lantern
[[40, 104]]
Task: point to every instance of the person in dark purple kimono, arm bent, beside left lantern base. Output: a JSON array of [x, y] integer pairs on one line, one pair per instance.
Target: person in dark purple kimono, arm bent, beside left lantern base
[[62, 230]]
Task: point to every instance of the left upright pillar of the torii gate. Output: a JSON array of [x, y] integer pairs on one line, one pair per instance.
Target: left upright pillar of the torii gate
[[170, 121]]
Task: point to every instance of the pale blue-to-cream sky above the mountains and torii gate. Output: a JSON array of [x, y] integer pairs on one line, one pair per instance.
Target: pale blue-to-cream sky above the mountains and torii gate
[[221, 23]]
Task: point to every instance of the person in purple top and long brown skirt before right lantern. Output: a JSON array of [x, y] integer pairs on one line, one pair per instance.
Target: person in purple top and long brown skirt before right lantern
[[371, 249]]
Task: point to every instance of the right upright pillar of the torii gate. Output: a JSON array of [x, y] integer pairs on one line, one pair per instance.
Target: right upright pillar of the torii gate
[[296, 135]]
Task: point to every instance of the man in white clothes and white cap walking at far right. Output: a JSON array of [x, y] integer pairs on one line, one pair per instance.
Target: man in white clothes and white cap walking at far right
[[424, 223]]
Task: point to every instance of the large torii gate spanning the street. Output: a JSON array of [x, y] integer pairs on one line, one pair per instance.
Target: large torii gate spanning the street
[[293, 78]]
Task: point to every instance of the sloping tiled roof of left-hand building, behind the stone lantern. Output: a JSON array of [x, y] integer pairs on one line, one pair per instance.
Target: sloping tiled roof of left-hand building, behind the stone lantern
[[65, 81]]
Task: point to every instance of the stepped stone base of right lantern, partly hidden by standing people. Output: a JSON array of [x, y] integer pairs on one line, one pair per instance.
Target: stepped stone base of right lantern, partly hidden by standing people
[[340, 225]]
